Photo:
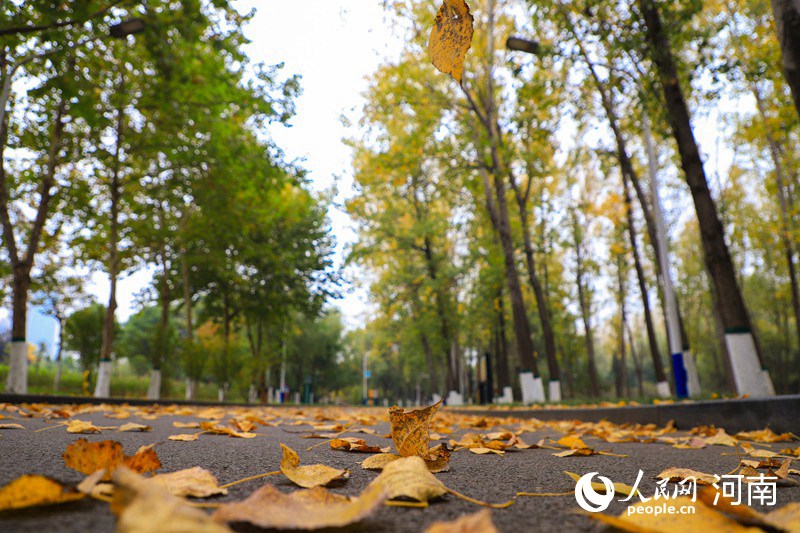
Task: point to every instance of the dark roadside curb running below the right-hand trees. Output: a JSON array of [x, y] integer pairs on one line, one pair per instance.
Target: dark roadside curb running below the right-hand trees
[[781, 414]]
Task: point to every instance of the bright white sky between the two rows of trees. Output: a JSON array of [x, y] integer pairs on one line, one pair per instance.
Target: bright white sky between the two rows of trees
[[333, 45]]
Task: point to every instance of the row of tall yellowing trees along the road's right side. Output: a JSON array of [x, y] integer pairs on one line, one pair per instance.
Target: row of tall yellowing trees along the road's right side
[[511, 213]]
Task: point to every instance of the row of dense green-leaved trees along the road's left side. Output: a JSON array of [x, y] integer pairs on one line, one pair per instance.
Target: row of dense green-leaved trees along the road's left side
[[134, 135]]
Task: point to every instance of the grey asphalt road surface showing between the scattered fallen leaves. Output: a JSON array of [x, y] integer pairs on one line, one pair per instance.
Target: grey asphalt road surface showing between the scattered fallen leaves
[[492, 478]]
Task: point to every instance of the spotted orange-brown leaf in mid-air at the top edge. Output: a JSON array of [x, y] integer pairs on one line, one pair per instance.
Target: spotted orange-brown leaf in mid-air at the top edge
[[451, 37]]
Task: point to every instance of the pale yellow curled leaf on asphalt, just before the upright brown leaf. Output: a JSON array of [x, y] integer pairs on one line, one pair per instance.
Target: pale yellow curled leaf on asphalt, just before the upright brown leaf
[[409, 477]]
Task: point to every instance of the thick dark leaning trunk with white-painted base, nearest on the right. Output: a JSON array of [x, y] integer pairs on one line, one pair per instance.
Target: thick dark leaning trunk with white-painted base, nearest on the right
[[749, 373]]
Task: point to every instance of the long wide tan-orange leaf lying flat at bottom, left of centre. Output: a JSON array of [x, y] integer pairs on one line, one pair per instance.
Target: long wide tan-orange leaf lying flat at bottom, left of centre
[[304, 509]]
